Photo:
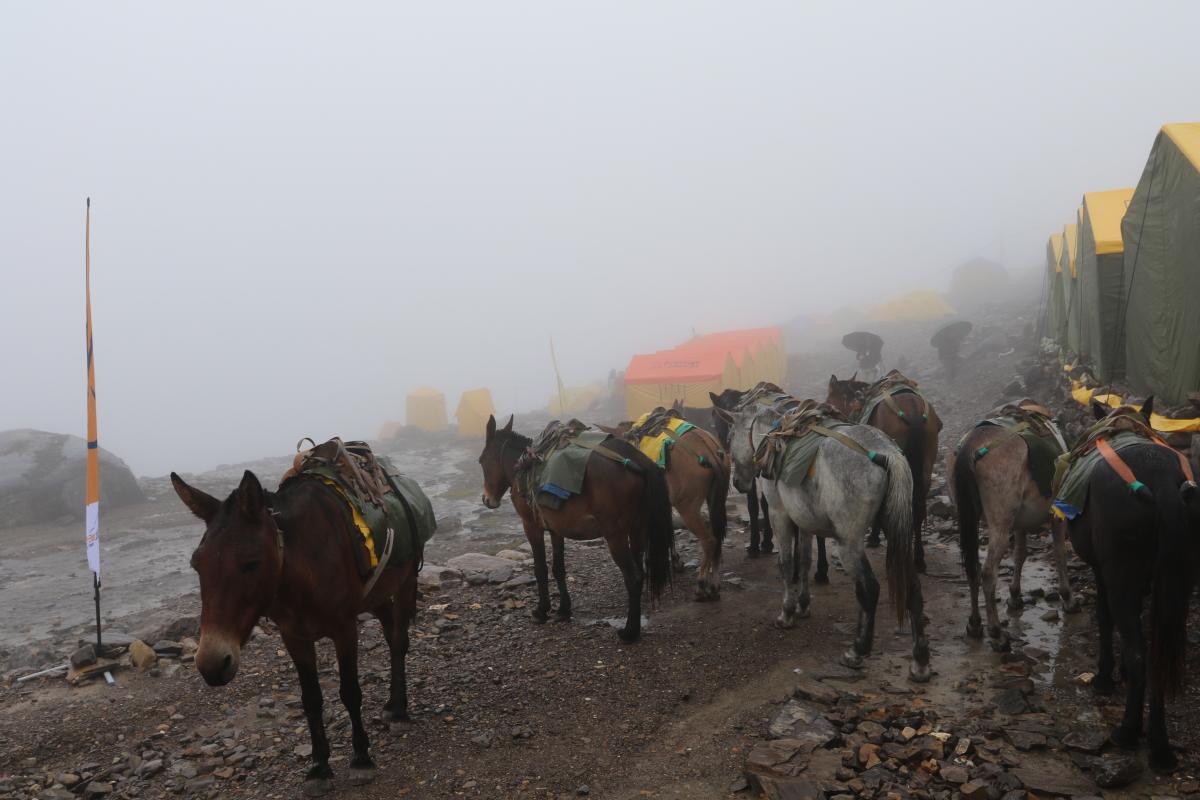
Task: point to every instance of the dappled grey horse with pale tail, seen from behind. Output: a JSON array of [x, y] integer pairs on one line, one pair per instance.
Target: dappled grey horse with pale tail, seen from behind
[[843, 495]]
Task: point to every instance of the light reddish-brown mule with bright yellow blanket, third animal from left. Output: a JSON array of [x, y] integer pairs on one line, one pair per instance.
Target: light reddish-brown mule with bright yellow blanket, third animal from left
[[692, 484]]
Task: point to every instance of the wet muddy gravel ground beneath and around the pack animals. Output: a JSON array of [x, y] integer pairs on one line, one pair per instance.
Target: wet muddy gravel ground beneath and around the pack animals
[[507, 708]]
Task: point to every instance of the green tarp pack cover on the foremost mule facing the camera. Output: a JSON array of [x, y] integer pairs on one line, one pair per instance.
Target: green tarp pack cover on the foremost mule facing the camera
[[409, 544]]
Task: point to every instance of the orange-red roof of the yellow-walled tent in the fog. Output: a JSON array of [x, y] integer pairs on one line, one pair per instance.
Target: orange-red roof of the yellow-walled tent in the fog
[[700, 359]]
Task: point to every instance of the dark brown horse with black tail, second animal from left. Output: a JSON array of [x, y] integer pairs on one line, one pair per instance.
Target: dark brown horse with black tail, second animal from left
[[627, 506]]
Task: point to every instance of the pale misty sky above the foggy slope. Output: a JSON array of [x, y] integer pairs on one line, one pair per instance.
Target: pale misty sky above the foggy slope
[[303, 212]]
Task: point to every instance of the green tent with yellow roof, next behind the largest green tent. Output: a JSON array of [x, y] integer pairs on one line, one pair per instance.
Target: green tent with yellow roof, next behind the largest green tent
[[1102, 282]]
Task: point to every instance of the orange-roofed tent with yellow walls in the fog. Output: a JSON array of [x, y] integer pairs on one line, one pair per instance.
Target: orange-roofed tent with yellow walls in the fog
[[706, 364]]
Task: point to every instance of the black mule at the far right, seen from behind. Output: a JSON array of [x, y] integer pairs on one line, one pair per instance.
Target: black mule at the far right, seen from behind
[[1142, 544]]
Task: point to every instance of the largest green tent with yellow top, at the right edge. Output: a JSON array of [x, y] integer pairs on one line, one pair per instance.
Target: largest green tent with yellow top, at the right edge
[[1162, 257]]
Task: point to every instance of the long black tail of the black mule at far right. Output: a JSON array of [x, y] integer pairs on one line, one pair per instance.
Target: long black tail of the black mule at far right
[[1173, 587]]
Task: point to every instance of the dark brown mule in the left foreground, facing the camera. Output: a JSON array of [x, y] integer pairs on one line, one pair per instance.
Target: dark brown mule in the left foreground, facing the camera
[[290, 557]]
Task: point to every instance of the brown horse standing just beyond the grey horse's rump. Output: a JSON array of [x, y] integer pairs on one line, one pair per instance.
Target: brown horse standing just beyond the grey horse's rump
[[916, 434]]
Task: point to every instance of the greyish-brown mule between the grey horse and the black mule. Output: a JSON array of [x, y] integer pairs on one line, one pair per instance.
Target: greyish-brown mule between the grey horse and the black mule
[[1001, 490]]
